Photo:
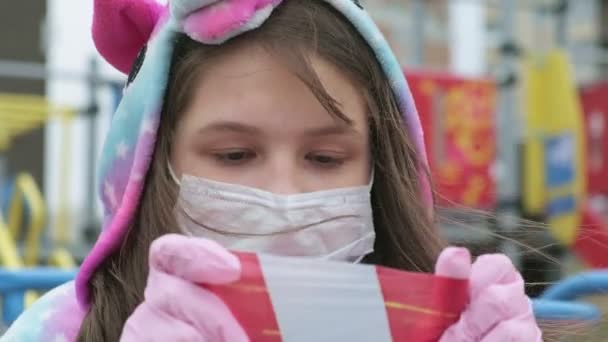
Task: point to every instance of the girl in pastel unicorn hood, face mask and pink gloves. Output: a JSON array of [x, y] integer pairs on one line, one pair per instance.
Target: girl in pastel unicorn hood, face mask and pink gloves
[[236, 113]]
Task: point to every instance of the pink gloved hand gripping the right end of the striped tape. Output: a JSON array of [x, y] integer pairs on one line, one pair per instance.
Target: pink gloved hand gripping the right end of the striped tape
[[499, 309]]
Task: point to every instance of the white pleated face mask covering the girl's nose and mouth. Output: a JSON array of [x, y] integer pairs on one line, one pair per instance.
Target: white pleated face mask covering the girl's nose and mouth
[[334, 224]]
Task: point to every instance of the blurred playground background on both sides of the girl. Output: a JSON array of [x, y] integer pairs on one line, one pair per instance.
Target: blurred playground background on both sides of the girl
[[513, 95]]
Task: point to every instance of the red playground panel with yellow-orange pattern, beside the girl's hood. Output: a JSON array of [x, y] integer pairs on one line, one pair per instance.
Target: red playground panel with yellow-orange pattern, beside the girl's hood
[[458, 117]]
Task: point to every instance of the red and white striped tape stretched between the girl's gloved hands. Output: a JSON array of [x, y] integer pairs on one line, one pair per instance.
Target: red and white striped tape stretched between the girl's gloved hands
[[297, 299]]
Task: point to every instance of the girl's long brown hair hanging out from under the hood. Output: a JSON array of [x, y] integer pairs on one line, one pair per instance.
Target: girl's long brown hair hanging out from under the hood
[[406, 235]]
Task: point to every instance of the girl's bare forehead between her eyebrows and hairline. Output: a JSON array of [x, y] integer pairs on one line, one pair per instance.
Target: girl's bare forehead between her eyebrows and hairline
[[255, 88]]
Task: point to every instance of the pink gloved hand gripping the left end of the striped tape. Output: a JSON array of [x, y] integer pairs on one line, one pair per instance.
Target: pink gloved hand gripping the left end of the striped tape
[[175, 307]]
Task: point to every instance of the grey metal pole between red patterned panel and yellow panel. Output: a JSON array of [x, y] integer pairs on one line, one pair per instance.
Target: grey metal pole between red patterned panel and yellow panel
[[508, 128]]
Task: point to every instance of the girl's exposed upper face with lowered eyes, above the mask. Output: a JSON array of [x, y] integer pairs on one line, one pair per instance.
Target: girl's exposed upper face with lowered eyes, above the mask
[[253, 122]]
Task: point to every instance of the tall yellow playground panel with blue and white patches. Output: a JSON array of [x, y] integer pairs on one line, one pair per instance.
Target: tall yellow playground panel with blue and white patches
[[554, 152]]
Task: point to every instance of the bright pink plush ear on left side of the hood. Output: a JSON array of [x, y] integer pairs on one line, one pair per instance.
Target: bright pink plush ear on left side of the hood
[[121, 28]]
